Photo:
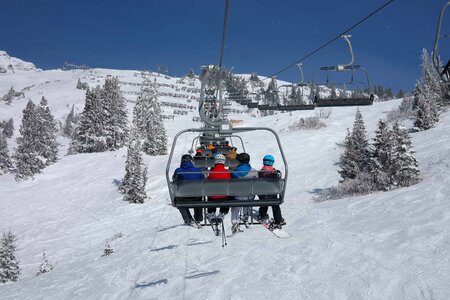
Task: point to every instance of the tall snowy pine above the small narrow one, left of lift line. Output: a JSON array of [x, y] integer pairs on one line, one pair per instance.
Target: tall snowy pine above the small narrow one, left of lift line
[[147, 119]]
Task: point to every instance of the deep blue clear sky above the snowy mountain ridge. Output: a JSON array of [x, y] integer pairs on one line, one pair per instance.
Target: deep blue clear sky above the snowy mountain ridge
[[264, 36]]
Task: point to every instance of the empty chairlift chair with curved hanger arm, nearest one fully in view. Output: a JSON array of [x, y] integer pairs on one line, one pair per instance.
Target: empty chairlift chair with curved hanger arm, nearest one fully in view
[[364, 97]]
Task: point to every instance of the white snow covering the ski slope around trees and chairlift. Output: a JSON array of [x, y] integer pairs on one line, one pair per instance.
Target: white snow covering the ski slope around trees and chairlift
[[392, 245]]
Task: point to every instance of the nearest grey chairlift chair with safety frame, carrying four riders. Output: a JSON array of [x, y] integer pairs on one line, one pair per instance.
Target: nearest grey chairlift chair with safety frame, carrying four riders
[[218, 130]]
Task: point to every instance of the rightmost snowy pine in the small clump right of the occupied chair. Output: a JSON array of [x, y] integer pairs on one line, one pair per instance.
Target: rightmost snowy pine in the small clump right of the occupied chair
[[405, 170]]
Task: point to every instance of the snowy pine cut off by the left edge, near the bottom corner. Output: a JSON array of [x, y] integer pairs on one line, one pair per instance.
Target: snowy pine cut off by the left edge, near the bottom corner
[[9, 265]]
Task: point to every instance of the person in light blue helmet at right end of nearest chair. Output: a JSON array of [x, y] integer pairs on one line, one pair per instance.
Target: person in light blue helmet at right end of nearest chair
[[268, 171]]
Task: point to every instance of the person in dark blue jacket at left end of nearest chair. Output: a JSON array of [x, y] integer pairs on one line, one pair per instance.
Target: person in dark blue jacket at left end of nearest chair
[[187, 171]]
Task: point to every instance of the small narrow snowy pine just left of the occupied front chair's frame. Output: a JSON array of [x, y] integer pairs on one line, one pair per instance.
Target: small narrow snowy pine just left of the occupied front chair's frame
[[134, 182]]
